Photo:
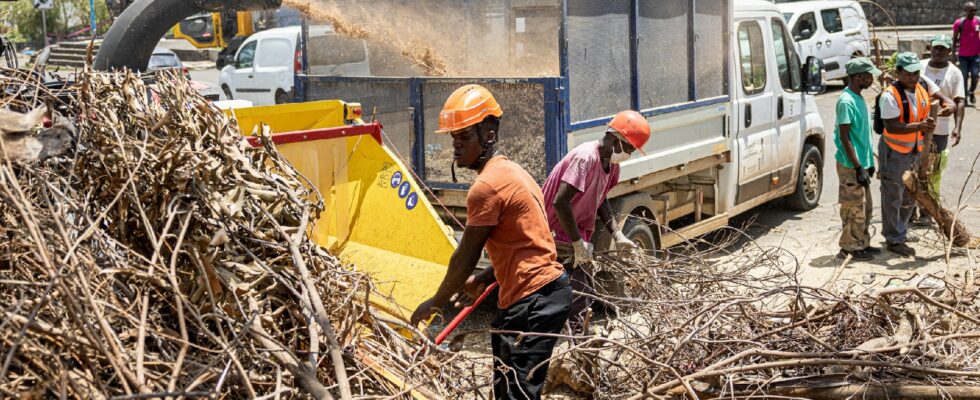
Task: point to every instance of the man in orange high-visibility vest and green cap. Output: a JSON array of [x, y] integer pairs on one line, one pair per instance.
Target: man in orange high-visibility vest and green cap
[[904, 112]]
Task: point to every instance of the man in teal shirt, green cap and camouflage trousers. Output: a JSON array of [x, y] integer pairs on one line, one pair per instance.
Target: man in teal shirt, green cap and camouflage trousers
[[855, 161]]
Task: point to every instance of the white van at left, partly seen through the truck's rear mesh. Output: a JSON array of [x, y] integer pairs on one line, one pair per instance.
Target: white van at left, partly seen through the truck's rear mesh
[[267, 62]]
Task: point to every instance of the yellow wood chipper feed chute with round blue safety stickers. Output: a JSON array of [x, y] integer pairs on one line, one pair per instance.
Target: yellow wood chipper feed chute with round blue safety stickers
[[376, 217]]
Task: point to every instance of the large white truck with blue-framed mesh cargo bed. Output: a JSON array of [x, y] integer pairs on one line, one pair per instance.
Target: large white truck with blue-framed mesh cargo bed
[[728, 98]]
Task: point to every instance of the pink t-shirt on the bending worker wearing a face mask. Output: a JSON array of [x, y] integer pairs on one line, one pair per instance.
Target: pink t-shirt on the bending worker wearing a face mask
[[582, 169]]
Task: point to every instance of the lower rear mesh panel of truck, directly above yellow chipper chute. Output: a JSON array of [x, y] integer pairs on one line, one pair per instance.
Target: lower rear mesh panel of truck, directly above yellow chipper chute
[[391, 101]]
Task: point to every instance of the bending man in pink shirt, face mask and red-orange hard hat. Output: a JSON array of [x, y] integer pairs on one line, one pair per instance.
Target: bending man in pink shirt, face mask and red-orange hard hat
[[575, 193]]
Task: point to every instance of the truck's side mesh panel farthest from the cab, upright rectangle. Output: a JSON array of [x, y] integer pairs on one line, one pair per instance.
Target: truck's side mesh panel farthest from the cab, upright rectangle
[[598, 58]]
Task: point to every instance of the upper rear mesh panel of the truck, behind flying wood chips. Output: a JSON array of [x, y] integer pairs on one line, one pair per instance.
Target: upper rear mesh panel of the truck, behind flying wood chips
[[486, 38]]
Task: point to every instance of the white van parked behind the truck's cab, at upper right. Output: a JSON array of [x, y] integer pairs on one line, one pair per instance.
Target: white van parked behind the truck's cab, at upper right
[[834, 31]]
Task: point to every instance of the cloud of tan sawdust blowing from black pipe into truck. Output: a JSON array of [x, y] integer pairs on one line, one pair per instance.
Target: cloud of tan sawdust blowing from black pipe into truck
[[442, 39]]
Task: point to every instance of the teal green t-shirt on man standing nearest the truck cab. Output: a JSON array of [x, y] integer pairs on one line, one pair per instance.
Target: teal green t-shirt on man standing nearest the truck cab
[[853, 111]]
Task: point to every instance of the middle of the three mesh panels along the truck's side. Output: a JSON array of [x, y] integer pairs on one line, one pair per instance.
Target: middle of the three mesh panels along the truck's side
[[663, 52]]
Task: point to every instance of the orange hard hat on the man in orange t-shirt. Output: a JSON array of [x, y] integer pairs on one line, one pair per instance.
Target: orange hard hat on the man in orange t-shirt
[[467, 106]]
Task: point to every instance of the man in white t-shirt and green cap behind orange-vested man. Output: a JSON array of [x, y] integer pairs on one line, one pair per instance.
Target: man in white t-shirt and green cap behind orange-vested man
[[947, 134]]
